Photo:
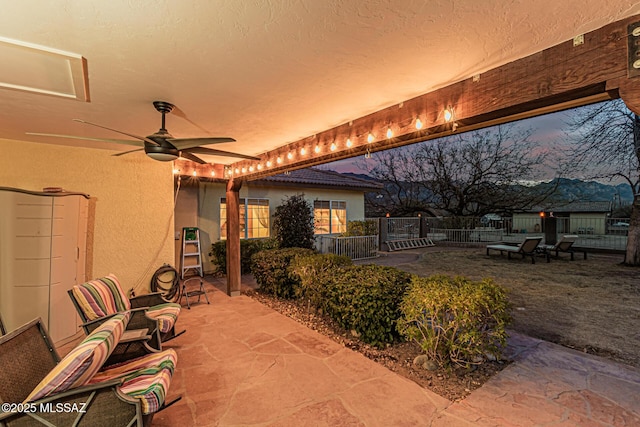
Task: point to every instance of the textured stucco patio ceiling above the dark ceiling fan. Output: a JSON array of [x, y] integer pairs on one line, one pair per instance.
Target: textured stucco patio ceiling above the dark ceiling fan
[[270, 72]]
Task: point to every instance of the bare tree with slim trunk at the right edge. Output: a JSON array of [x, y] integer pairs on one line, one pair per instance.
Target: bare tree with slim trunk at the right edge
[[607, 146]]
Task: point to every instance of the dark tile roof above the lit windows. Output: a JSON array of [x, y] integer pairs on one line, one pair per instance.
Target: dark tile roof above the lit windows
[[312, 177]]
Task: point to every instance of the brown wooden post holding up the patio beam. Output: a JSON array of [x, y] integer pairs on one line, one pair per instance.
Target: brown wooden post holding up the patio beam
[[233, 237]]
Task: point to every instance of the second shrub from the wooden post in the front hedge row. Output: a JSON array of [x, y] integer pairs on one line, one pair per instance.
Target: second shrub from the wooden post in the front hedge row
[[314, 271]]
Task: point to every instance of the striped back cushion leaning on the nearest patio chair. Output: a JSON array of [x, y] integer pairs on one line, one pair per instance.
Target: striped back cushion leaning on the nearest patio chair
[[81, 364]]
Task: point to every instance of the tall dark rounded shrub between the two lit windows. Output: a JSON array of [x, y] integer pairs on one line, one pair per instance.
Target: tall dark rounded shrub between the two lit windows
[[293, 223]]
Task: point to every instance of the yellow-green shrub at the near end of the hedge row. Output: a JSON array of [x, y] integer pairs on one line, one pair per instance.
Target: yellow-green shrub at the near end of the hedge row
[[455, 320]]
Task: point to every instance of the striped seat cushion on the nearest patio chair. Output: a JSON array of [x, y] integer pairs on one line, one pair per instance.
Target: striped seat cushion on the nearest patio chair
[[146, 378]]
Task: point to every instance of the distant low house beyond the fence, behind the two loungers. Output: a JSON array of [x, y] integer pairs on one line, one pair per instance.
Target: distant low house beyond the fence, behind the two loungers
[[575, 218]]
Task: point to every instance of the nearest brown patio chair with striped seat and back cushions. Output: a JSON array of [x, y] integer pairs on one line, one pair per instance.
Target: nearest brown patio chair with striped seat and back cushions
[[48, 391]]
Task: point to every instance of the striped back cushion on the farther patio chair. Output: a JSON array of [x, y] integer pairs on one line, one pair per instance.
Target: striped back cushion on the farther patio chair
[[101, 297]]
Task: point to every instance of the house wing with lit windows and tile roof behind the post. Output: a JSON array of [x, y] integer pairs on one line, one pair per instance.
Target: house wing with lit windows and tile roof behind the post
[[336, 199]]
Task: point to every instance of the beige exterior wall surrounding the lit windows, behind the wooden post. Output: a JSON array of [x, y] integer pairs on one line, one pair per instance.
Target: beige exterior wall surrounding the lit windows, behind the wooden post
[[209, 195]]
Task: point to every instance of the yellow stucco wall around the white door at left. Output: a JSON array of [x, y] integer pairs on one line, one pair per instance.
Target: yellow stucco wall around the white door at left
[[132, 196]]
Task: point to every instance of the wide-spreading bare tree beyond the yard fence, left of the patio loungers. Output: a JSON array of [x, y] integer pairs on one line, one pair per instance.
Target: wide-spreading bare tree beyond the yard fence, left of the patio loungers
[[474, 173]]
